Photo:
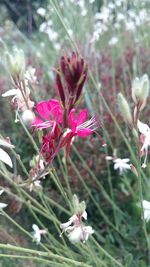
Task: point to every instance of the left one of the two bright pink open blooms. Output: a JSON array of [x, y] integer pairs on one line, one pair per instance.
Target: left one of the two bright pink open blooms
[[47, 113]]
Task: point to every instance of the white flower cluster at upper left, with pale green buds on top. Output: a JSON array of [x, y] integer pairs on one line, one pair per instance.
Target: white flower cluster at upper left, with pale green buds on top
[[21, 80]]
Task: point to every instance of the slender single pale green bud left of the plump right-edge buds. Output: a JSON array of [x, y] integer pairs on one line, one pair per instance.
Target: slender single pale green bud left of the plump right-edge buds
[[125, 109]]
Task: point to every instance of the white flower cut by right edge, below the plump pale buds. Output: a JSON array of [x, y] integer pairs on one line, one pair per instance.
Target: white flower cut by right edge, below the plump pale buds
[[145, 139]]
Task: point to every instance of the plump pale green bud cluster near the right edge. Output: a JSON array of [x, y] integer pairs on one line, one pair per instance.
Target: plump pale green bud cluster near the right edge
[[140, 90]]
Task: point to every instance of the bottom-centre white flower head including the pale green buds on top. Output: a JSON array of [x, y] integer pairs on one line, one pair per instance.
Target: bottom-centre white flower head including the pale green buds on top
[[75, 228]]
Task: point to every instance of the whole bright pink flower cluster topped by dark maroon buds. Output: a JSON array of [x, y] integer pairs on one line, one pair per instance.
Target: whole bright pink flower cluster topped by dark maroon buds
[[59, 118]]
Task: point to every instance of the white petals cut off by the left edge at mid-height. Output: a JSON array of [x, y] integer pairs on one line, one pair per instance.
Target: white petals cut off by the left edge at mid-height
[[4, 157]]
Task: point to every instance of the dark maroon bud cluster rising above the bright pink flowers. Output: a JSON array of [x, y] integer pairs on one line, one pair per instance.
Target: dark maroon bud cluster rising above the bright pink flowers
[[70, 79]]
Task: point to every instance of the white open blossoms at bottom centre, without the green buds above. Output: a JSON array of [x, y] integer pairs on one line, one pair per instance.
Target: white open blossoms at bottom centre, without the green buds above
[[76, 230]]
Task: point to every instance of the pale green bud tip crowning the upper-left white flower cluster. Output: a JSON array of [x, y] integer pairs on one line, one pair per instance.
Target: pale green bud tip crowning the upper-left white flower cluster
[[16, 63]]
